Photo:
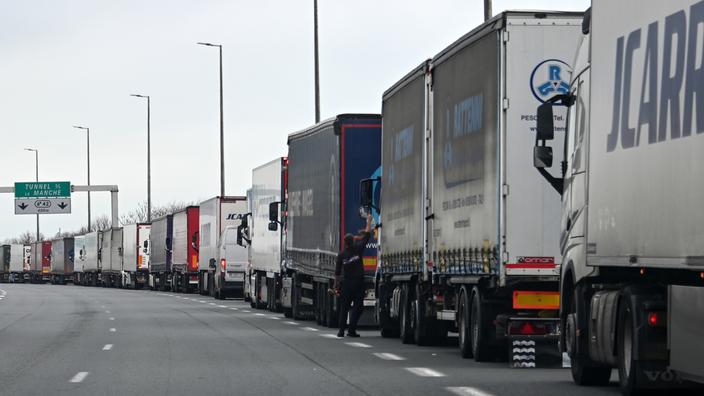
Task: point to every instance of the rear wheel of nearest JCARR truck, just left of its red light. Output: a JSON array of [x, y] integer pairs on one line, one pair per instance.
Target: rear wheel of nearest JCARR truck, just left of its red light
[[627, 366]]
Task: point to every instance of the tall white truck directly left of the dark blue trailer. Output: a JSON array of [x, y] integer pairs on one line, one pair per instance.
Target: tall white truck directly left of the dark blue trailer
[[267, 238]]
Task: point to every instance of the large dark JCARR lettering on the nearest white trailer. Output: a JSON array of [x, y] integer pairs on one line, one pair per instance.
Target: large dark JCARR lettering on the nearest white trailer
[[677, 42]]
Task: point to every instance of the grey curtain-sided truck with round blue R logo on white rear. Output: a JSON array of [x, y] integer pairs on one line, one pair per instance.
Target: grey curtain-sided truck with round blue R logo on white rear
[[469, 240]]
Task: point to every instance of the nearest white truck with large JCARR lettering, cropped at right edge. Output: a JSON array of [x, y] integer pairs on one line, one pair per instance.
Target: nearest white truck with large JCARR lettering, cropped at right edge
[[632, 294]]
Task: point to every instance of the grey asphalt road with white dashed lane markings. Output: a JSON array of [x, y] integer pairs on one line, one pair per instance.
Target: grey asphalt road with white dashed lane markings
[[90, 341]]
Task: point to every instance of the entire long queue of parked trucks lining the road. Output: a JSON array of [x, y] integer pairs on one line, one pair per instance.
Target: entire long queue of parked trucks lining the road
[[468, 237]]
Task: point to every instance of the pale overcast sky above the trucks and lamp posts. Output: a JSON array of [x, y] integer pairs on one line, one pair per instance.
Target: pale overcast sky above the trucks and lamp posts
[[65, 63]]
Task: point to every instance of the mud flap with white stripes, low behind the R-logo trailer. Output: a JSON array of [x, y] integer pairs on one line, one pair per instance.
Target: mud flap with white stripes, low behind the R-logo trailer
[[534, 352]]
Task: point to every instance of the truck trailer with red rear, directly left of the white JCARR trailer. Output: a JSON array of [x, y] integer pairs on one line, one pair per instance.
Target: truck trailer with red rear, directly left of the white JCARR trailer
[[184, 266]]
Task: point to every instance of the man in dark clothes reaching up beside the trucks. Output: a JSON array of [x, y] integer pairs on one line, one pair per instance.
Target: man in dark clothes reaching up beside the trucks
[[349, 266]]
